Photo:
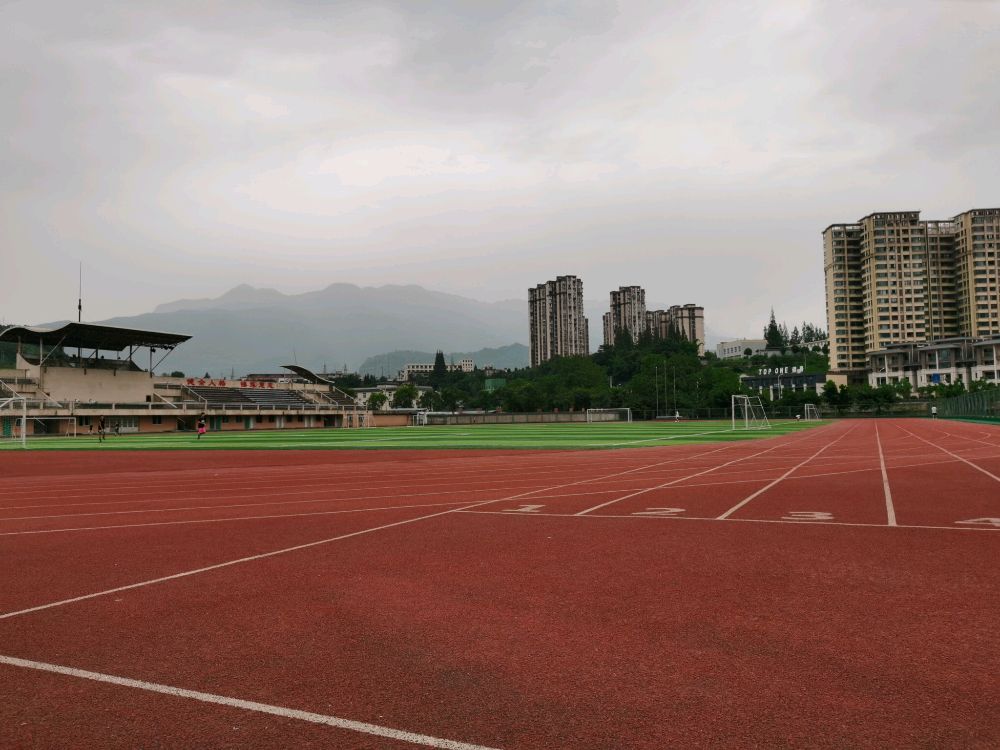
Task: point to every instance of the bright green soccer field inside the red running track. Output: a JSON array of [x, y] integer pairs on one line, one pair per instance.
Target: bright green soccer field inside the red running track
[[567, 436]]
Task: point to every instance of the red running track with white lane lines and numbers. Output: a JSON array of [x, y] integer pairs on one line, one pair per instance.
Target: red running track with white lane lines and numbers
[[834, 588]]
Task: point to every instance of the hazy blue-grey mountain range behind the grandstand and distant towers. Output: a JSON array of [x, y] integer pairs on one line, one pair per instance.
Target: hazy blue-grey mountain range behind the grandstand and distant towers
[[372, 329]]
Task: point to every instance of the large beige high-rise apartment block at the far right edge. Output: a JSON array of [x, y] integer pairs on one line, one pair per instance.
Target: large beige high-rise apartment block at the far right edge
[[894, 278]]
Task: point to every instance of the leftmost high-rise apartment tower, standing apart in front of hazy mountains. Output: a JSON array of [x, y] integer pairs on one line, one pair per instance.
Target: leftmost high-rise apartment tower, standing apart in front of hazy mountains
[[558, 326]]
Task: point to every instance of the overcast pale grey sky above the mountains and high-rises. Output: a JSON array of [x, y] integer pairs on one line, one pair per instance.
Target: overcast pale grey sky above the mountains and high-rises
[[697, 149]]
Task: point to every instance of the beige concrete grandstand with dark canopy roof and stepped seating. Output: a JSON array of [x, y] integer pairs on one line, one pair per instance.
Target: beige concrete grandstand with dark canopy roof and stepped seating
[[75, 374]]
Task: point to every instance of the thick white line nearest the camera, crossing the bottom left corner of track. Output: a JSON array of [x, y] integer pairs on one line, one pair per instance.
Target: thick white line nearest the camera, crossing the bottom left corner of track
[[264, 708]]
